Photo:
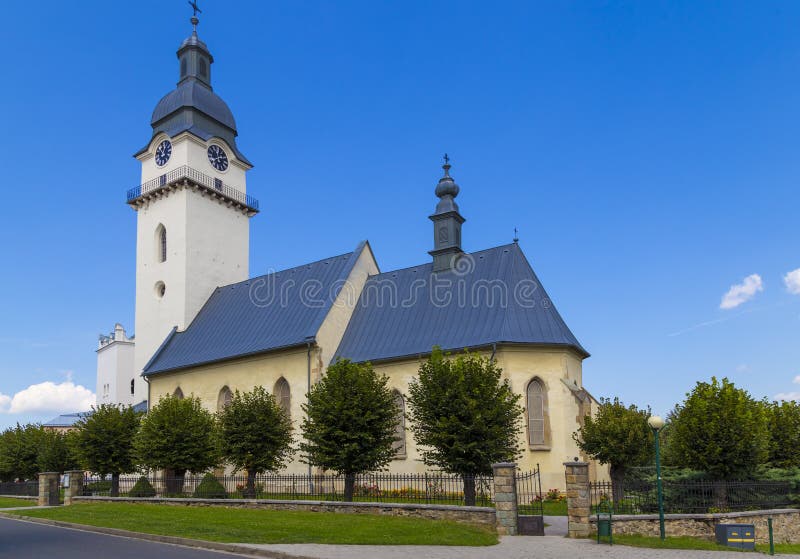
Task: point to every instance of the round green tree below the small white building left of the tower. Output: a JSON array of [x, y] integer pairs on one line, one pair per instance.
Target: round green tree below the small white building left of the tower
[[104, 441]]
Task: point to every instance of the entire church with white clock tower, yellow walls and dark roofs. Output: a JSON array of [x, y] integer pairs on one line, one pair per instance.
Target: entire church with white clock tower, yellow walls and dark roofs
[[204, 327]]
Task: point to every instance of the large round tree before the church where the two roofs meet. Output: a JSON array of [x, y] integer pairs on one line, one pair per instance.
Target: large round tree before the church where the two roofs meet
[[349, 424]]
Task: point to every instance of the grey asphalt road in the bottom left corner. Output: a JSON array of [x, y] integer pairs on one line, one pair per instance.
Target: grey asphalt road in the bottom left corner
[[25, 540]]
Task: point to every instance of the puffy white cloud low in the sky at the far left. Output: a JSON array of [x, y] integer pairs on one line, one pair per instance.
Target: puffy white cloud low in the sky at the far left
[[49, 397]]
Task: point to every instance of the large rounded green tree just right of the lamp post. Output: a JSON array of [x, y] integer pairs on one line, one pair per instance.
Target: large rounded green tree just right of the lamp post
[[719, 429]]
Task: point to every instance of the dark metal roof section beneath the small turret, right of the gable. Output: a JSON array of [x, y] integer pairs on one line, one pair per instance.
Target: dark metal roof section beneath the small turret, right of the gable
[[493, 296]]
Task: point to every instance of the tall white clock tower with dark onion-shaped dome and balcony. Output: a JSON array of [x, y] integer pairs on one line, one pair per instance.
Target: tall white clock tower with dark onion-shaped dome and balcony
[[193, 211]]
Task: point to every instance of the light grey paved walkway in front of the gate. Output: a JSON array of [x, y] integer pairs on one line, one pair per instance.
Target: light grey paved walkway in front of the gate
[[519, 547]]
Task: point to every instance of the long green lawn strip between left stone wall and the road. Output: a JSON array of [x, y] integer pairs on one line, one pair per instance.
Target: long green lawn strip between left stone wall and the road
[[231, 525]]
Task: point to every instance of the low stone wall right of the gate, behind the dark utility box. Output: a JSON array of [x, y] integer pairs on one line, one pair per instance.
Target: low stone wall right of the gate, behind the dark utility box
[[785, 524]]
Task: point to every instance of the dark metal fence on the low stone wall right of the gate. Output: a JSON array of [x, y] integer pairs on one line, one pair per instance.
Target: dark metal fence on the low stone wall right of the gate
[[641, 497]]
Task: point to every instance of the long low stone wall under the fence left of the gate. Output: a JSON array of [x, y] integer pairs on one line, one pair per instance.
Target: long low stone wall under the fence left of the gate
[[471, 515]]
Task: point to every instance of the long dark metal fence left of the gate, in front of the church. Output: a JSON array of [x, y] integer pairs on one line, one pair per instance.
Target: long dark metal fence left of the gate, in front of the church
[[428, 488]]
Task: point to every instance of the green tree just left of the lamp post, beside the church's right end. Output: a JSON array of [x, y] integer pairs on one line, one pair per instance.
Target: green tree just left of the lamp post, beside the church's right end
[[617, 435]]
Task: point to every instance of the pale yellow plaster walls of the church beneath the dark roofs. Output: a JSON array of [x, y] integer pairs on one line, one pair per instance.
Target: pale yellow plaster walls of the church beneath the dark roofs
[[556, 368]]
